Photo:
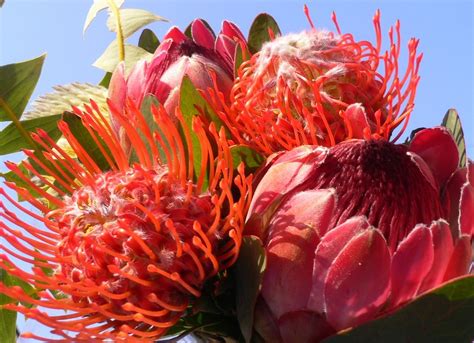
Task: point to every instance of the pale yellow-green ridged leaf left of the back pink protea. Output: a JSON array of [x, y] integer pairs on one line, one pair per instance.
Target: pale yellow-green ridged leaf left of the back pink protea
[[64, 97]]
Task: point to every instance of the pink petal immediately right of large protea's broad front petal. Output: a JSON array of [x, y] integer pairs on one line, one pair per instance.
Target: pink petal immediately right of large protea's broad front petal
[[411, 263]]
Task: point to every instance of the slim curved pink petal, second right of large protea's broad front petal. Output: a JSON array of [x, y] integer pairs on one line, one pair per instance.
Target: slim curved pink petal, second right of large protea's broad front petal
[[443, 248]]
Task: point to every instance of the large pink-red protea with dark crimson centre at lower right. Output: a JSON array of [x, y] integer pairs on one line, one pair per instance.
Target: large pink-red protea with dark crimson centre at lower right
[[358, 229]]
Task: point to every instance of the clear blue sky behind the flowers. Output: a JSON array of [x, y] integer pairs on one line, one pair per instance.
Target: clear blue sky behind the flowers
[[29, 28]]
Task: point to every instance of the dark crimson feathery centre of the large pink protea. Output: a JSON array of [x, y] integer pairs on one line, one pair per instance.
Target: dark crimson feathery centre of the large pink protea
[[381, 181]]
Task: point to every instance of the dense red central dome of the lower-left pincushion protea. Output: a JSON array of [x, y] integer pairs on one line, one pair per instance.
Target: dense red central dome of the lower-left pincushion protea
[[127, 231]]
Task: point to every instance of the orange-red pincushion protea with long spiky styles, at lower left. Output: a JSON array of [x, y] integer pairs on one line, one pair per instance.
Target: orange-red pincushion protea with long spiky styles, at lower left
[[130, 248]]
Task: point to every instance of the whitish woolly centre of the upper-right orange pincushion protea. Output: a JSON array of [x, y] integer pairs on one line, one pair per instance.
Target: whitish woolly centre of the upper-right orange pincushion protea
[[293, 61]]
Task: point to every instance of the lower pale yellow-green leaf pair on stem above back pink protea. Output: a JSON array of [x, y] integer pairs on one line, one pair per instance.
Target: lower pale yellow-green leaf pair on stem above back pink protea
[[110, 58]]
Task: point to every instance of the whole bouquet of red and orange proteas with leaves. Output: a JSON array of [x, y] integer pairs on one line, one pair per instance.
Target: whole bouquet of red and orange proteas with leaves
[[235, 188]]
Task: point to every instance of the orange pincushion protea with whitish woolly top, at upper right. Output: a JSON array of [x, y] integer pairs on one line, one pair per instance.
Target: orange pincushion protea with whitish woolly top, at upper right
[[319, 87]]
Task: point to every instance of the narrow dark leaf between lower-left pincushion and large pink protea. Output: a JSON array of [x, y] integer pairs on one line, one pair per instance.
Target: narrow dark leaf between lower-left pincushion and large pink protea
[[249, 270]]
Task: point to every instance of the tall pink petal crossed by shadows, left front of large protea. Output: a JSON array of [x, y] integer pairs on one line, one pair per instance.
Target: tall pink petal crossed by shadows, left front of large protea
[[294, 235]]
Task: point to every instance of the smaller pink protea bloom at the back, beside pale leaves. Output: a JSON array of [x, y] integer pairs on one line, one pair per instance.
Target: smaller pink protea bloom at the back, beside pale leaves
[[200, 58]]
